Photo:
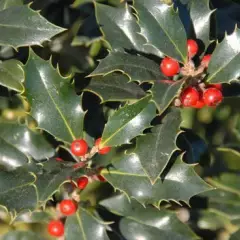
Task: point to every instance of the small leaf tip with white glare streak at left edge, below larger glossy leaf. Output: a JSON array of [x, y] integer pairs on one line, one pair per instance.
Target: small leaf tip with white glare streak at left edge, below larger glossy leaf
[[10, 156]]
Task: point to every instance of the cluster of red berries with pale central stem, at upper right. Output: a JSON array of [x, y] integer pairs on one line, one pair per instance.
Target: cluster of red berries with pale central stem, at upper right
[[196, 93]]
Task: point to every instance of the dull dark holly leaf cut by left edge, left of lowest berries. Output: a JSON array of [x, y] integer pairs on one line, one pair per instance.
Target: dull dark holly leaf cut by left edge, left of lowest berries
[[17, 190]]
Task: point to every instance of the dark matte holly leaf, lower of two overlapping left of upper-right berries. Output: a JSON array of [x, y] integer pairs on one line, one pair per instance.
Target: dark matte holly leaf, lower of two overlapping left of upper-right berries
[[115, 87]]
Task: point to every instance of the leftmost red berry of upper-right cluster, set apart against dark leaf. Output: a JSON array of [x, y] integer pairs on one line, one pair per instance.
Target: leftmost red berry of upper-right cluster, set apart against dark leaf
[[169, 67]]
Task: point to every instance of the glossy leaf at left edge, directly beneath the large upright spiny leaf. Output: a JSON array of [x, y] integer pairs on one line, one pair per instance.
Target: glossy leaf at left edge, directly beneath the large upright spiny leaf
[[31, 143]]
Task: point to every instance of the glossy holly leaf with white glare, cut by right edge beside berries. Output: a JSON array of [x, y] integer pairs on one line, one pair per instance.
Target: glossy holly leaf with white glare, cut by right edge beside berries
[[225, 61]]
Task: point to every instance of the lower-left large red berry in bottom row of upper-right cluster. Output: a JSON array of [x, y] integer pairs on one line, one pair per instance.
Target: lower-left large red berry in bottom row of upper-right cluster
[[189, 97]]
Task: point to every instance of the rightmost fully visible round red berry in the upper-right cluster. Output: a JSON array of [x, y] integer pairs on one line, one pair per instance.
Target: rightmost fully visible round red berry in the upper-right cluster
[[212, 97]]
